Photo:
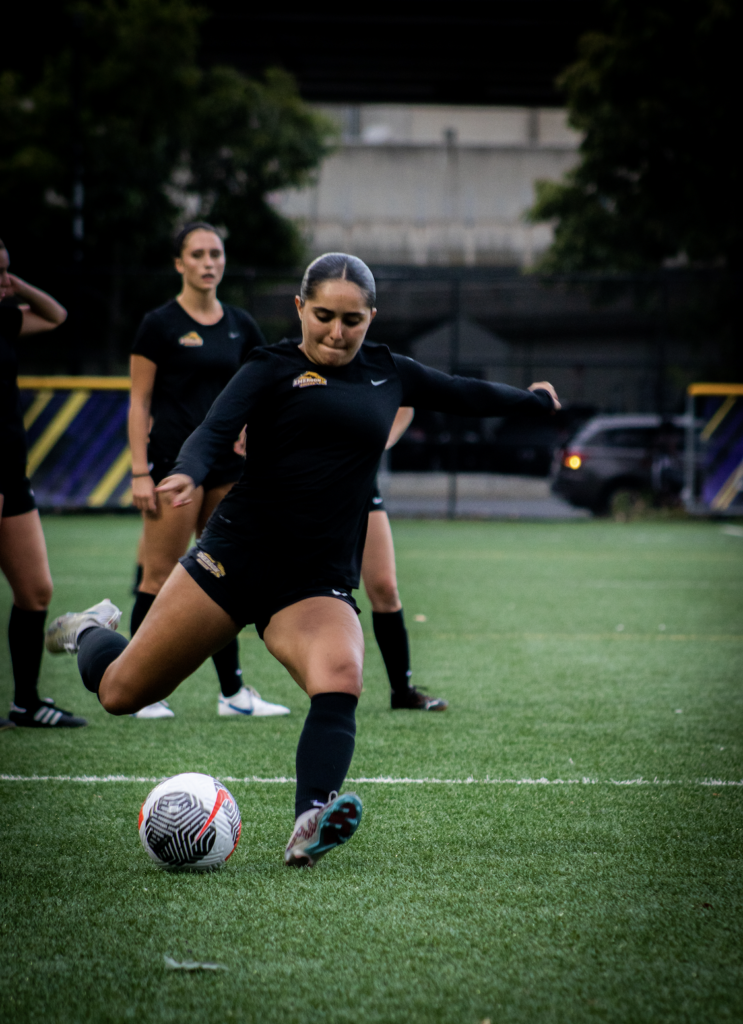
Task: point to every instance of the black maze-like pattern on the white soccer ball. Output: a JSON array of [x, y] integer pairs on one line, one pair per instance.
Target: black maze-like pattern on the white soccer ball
[[172, 828]]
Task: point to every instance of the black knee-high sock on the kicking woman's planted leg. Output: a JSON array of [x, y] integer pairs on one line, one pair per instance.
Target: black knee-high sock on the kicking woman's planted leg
[[326, 749]]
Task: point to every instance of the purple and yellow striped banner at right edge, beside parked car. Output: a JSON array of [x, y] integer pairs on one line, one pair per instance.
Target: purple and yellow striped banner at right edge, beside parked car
[[714, 478]]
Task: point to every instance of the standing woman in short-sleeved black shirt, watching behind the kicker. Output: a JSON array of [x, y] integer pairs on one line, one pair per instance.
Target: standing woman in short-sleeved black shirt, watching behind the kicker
[[184, 355]]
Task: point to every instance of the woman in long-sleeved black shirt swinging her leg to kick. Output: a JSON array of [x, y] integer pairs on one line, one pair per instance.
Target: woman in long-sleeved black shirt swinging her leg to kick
[[284, 549]]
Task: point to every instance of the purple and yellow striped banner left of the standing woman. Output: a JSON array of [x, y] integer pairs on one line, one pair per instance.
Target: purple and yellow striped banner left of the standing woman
[[77, 436]]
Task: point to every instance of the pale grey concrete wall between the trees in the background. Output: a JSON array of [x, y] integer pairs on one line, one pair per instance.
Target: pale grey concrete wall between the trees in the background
[[434, 186]]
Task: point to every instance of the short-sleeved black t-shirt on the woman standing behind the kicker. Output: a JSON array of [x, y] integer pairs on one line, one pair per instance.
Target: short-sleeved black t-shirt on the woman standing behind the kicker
[[195, 363]]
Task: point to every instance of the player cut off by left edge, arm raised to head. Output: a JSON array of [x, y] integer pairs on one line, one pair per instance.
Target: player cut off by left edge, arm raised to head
[[23, 550]]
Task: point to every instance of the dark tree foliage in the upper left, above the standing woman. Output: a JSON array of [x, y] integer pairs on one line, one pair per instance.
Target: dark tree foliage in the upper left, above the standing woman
[[159, 140]]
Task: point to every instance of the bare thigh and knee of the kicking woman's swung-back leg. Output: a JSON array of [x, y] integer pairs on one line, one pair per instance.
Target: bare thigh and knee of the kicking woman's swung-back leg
[[183, 629]]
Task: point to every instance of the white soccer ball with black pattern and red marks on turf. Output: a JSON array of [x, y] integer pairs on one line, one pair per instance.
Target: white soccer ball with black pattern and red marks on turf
[[190, 822]]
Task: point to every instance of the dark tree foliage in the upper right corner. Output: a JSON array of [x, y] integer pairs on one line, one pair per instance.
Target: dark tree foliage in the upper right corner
[[659, 180]]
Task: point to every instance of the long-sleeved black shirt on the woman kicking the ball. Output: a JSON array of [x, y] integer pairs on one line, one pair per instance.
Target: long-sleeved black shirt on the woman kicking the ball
[[316, 437]]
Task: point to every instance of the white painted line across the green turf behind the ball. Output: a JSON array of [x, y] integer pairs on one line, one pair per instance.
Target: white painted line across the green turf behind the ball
[[385, 781]]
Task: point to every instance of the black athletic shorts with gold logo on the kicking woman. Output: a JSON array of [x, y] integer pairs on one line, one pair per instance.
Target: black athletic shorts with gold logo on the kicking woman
[[226, 572]]
